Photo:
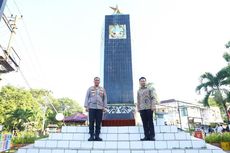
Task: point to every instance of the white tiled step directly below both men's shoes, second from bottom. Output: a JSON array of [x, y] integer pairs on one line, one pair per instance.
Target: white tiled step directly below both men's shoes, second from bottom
[[118, 145]]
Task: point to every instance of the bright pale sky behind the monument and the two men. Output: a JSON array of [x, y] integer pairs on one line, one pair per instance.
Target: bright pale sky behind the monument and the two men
[[173, 43]]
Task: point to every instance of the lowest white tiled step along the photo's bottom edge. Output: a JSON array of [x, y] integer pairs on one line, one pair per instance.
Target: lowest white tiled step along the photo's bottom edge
[[50, 150]]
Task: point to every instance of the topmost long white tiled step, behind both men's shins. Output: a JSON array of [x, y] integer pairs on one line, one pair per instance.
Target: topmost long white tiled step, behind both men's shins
[[123, 129]]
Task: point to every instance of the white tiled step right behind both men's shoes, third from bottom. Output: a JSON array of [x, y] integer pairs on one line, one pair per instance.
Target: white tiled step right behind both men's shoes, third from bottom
[[120, 136]]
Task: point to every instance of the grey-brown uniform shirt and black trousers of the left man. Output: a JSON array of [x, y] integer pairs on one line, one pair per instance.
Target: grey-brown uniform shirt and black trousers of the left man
[[95, 101]]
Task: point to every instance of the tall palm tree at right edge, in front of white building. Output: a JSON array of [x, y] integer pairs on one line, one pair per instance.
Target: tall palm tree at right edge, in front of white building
[[217, 87]]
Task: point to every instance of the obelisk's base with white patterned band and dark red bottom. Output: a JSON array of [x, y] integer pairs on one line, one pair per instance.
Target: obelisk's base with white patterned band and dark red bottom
[[119, 115]]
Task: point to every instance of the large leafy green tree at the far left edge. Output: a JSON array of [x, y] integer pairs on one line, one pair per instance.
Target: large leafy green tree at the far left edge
[[17, 107]]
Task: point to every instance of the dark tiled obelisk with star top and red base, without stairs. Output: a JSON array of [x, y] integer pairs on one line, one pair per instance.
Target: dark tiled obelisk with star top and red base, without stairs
[[118, 80]]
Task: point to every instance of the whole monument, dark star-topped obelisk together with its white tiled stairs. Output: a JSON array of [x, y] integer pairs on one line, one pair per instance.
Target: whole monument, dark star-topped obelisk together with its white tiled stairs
[[118, 82]]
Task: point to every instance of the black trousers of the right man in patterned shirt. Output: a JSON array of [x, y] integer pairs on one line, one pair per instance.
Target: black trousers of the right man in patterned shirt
[[147, 120]]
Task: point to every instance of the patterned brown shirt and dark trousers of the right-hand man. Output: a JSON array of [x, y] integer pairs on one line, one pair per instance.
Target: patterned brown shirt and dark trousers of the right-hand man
[[145, 103]]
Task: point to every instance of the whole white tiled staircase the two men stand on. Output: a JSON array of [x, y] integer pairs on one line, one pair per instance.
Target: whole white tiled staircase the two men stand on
[[73, 139]]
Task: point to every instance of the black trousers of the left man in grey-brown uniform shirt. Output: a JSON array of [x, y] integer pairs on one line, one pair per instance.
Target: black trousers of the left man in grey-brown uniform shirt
[[95, 115]]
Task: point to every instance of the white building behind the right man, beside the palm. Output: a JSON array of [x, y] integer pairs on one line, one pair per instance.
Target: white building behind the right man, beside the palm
[[185, 115]]
